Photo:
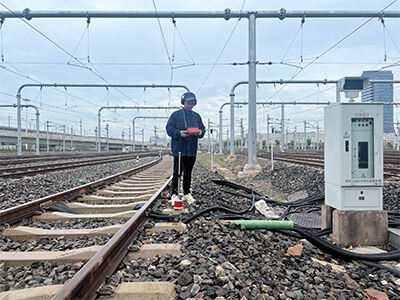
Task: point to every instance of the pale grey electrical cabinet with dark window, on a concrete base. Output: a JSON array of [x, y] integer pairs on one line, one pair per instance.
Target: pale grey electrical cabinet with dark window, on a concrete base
[[354, 155]]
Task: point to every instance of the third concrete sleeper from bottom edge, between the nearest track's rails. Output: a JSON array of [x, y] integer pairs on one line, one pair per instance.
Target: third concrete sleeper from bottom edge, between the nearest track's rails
[[33, 233]]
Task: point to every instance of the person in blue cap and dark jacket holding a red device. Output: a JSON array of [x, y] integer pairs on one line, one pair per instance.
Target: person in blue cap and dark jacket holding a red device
[[185, 127]]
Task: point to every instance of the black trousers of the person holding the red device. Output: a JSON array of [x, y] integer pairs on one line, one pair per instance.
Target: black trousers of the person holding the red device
[[187, 163]]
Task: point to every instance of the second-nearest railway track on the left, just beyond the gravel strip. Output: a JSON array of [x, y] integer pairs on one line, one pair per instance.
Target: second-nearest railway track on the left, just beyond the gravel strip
[[30, 170]]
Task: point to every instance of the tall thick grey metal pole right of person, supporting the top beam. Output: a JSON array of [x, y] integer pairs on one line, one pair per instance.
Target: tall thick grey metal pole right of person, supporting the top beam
[[252, 116]]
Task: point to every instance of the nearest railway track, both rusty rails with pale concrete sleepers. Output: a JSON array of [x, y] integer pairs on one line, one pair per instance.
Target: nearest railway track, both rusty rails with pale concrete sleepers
[[114, 209]]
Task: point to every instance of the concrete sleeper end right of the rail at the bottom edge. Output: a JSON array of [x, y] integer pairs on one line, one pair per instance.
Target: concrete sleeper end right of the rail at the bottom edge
[[144, 291]]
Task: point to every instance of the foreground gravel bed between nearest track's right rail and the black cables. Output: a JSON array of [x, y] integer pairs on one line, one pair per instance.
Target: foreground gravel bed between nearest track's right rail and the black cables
[[221, 259]]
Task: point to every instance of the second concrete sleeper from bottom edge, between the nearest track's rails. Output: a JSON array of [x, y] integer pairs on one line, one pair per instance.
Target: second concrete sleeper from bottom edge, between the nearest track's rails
[[60, 257]]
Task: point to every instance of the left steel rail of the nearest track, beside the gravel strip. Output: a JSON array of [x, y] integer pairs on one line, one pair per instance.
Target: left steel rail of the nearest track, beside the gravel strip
[[17, 213]]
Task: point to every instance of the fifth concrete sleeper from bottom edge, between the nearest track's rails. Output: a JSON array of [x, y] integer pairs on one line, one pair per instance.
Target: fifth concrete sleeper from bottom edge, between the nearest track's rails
[[84, 208]]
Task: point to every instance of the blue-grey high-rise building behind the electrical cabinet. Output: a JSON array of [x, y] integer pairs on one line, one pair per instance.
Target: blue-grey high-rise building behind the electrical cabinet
[[380, 92]]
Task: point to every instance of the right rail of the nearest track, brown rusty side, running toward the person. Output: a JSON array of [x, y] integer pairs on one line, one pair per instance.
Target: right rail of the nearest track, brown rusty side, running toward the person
[[89, 278]]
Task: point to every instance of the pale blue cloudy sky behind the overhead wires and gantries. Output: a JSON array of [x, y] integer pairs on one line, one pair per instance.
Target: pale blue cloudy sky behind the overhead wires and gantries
[[204, 54]]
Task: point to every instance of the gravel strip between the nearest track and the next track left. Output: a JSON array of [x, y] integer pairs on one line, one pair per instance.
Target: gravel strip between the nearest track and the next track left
[[22, 190]]
